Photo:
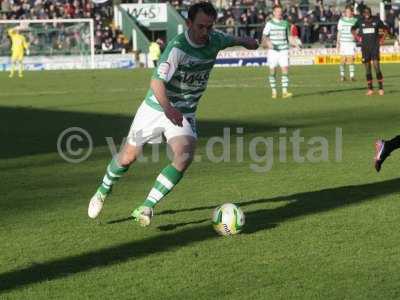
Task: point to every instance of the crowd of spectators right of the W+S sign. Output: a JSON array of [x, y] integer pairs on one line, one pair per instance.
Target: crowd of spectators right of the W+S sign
[[312, 23]]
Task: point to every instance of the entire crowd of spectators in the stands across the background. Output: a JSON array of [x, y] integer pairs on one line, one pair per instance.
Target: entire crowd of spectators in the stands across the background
[[310, 22]]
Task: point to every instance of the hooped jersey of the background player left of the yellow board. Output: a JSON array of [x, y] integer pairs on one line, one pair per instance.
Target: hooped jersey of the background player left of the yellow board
[[278, 32]]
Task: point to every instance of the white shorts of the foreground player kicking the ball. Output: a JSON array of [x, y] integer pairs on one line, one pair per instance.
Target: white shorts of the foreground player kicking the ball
[[149, 125]]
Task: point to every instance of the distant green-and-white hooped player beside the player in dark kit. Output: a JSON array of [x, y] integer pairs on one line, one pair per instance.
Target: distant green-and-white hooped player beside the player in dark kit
[[346, 43]]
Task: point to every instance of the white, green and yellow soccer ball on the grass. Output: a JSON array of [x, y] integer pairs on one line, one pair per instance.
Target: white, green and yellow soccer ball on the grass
[[228, 219]]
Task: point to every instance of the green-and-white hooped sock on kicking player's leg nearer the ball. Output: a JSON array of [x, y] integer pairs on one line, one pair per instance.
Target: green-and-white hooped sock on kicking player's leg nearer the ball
[[165, 182]]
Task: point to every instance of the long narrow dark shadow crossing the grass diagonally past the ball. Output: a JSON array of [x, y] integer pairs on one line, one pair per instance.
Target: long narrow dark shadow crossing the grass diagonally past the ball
[[299, 205]]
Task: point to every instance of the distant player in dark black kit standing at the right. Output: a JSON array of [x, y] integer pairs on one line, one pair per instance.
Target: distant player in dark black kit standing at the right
[[371, 31]]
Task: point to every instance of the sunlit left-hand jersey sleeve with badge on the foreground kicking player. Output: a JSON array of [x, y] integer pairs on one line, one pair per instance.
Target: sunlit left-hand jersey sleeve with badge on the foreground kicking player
[[168, 63]]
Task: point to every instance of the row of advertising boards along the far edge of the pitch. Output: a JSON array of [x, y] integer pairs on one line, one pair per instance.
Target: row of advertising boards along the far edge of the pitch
[[228, 58]]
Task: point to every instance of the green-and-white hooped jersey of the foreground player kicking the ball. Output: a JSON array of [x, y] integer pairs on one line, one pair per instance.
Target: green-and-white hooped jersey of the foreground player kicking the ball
[[185, 68]]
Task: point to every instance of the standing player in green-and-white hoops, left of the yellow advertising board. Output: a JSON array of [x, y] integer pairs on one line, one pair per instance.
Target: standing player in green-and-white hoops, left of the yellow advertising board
[[276, 39]]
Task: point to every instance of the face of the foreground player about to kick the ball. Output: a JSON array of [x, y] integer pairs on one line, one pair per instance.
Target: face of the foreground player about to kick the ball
[[201, 27]]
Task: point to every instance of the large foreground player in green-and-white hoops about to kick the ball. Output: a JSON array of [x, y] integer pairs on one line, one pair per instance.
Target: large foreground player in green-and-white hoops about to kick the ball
[[169, 107]]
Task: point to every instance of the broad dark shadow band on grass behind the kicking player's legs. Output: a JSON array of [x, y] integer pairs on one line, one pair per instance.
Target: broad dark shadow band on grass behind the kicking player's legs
[[31, 131]]
